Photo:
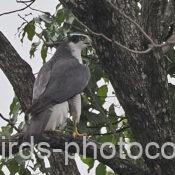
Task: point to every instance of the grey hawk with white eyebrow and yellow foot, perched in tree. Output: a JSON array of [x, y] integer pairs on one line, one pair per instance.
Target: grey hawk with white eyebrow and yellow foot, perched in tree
[[57, 88]]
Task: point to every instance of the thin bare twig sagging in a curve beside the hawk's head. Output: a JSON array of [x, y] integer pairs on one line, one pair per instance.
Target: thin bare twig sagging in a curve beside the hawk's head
[[113, 41]]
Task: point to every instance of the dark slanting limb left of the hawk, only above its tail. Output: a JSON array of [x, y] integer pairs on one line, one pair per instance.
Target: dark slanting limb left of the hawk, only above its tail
[[17, 71]]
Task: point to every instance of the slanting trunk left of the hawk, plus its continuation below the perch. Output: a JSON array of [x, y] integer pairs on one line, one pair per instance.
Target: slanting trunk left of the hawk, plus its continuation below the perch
[[20, 75]]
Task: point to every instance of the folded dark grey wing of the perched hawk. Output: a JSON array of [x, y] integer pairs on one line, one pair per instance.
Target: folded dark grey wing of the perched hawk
[[67, 78]]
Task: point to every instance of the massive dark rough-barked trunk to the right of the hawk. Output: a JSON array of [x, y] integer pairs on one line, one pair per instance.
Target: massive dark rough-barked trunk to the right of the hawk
[[140, 81]]
